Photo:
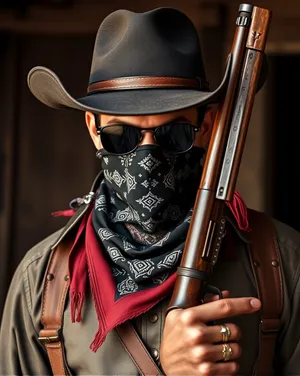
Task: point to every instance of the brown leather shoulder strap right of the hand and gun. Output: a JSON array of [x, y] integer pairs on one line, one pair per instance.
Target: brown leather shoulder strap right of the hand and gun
[[266, 264]]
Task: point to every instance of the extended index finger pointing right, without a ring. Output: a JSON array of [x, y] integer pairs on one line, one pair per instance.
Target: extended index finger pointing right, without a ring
[[220, 309]]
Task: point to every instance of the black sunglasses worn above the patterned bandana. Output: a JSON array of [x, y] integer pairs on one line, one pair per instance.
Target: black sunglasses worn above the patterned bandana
[[174, 138]]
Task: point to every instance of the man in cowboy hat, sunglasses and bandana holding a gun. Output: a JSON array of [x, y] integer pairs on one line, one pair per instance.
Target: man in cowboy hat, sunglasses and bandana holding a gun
[[147, 114]]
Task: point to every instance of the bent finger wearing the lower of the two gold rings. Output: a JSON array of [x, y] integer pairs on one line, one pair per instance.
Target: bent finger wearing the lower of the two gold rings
[[213, 353]]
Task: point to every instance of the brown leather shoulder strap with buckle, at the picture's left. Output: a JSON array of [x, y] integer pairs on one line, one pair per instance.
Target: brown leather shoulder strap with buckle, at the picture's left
[[53, 304]]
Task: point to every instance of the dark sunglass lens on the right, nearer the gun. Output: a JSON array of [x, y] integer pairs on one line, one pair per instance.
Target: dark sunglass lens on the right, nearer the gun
[[175, 138]]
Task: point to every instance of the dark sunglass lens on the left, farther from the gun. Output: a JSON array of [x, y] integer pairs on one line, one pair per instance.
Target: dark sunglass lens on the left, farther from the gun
[[119, 138]]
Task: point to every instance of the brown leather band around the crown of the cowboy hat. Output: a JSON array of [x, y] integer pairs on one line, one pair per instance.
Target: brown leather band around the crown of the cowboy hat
[[147, 83]]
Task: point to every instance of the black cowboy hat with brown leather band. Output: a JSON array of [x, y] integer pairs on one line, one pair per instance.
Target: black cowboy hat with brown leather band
[[143, 63]]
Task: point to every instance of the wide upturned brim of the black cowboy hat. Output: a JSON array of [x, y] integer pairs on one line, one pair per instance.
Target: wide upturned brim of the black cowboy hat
[[47, 88]]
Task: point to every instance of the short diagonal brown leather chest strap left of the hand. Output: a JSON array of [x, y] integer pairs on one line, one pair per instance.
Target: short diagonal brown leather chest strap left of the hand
[[137, 350]]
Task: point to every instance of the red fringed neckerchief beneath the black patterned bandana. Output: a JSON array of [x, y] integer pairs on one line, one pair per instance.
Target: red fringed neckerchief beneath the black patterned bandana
[[87, 265]]
